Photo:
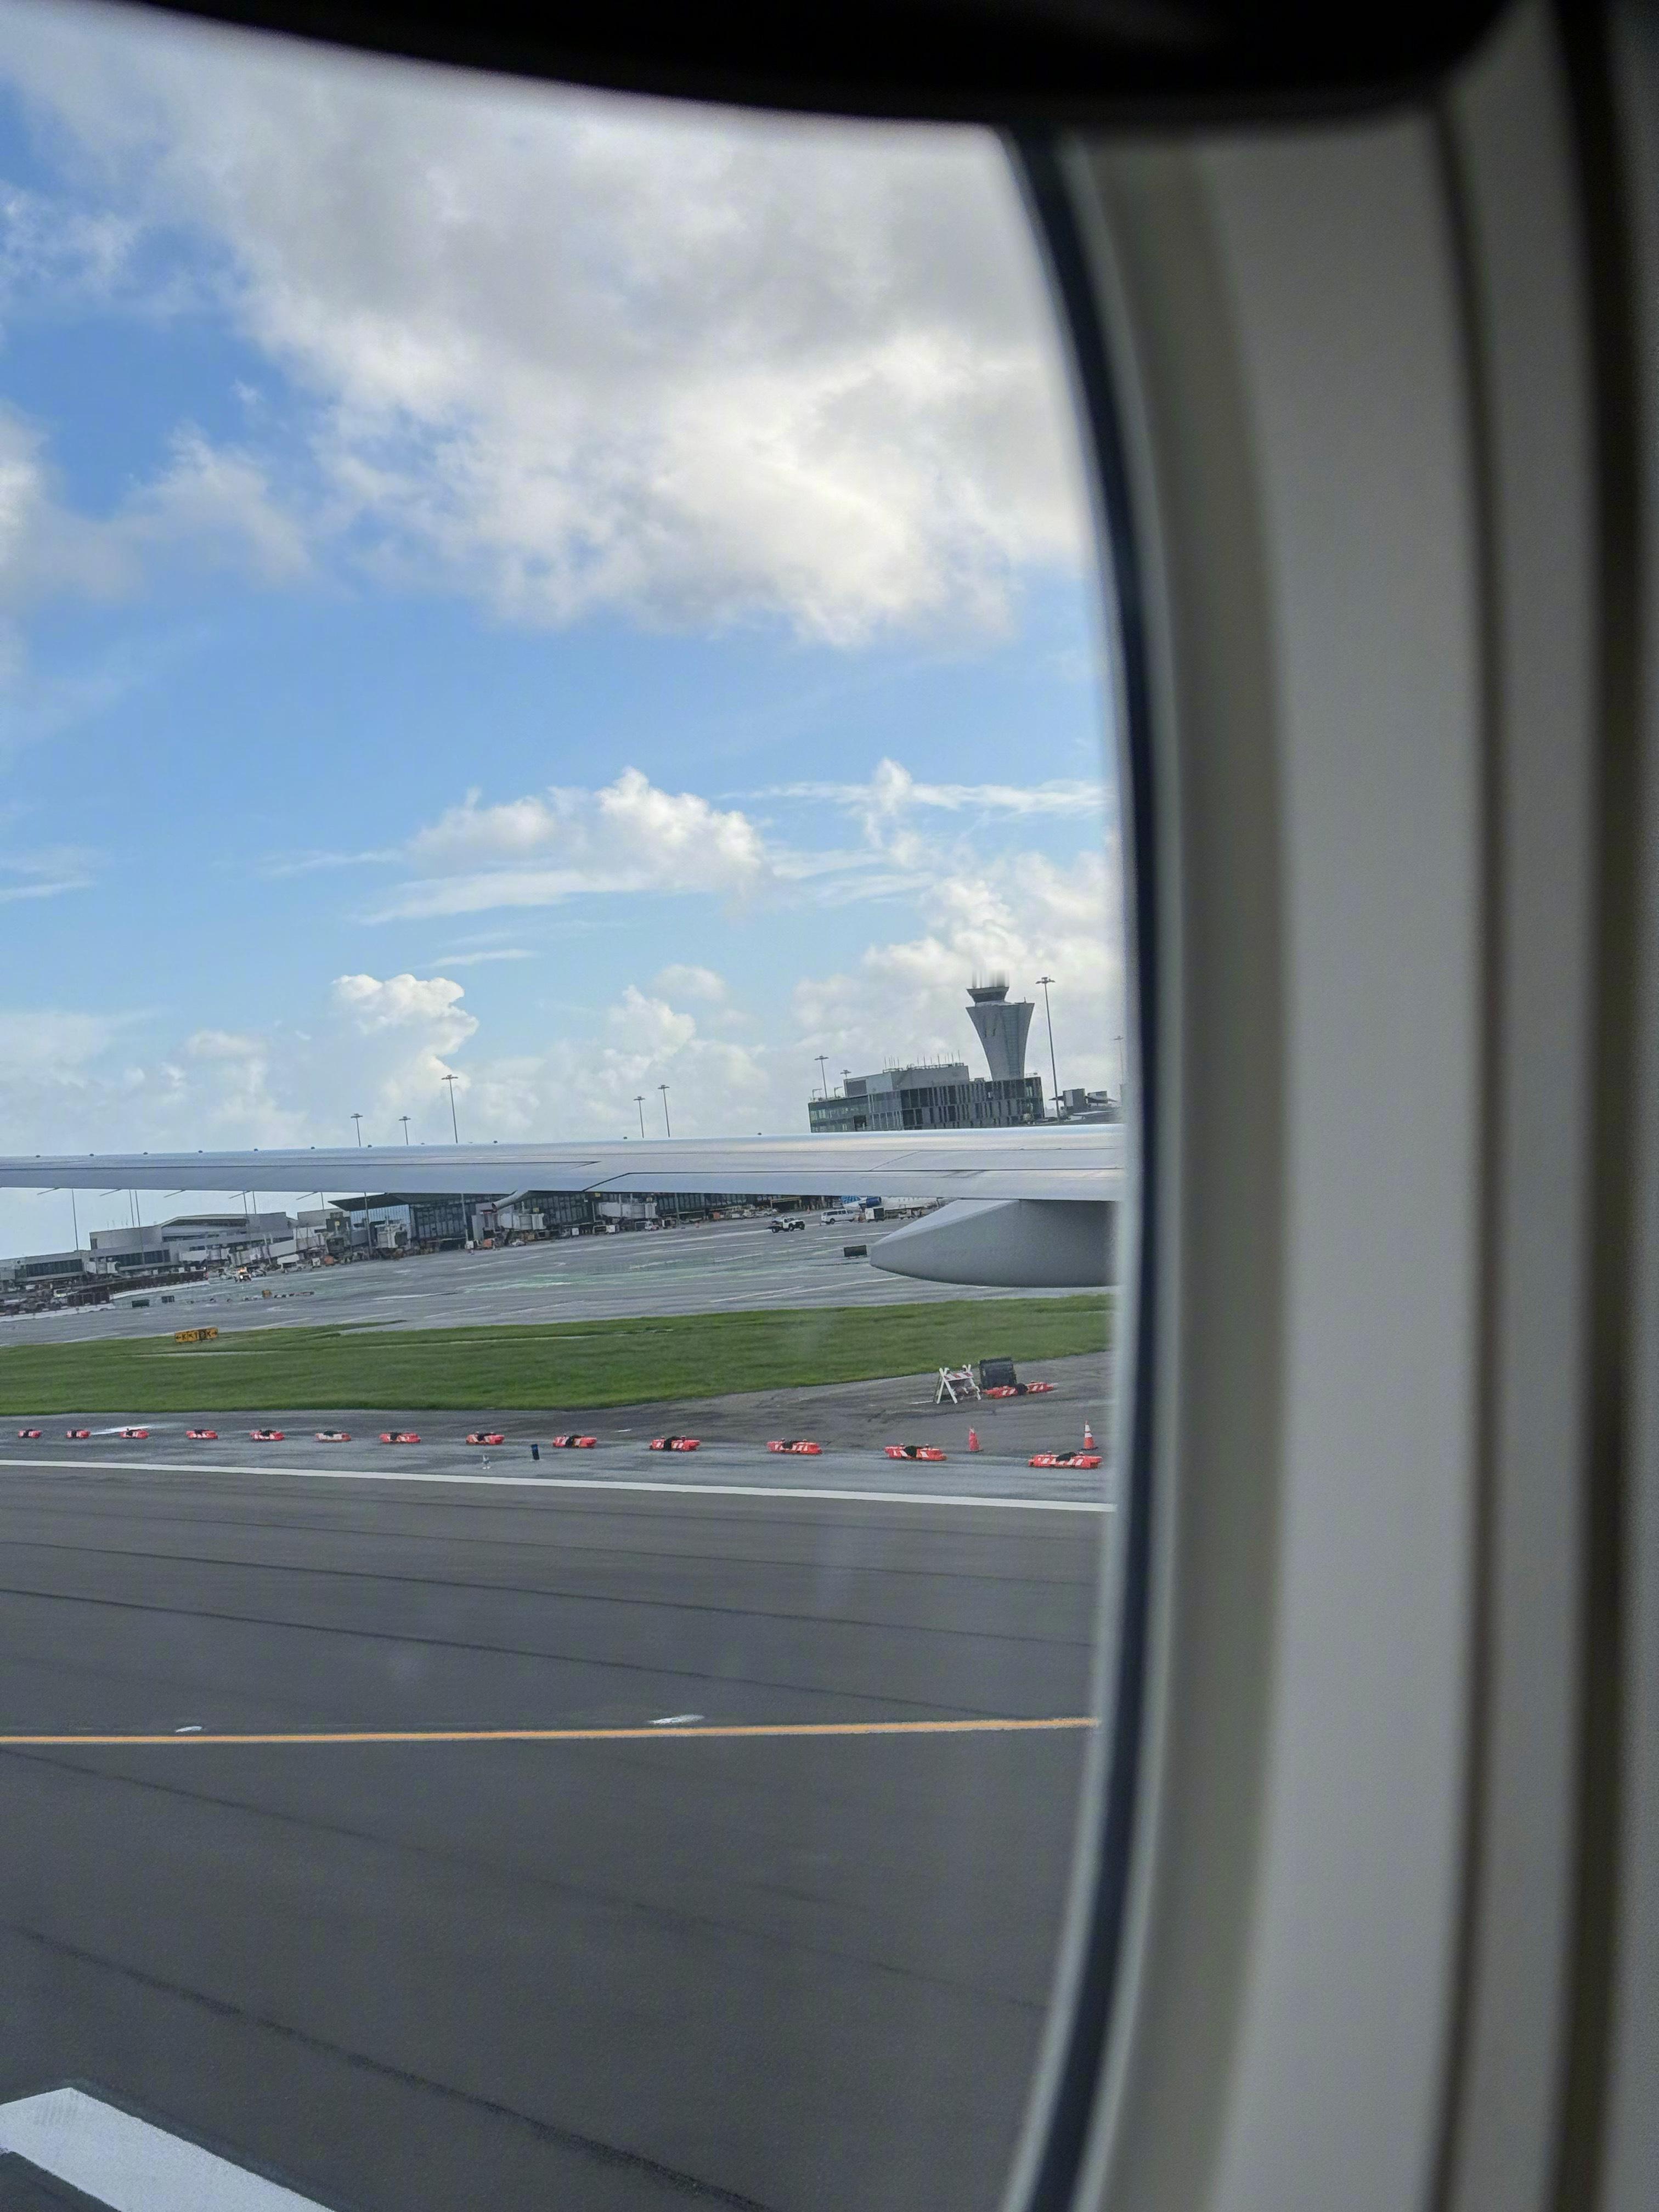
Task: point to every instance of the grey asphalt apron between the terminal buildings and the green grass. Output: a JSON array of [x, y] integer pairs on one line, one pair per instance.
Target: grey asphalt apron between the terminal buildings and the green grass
[[705, 1269]]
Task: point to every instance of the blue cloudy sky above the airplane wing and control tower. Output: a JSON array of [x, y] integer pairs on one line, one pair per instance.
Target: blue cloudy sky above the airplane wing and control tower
[[565, 592]]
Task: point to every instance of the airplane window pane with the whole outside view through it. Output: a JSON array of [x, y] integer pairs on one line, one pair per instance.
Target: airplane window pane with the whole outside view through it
[[563, 1105]]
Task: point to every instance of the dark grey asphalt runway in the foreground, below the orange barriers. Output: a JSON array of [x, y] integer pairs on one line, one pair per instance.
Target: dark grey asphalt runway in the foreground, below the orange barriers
[[596, 1972]]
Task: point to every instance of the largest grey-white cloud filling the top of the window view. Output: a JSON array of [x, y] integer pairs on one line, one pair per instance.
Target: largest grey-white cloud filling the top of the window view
[[576, 353]]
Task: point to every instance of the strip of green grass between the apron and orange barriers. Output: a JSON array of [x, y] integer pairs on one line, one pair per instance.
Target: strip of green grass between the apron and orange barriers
[[572, 1364]]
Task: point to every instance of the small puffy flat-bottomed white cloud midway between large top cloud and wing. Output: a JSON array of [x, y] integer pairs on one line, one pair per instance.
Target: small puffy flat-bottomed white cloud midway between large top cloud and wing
[[567, 844]]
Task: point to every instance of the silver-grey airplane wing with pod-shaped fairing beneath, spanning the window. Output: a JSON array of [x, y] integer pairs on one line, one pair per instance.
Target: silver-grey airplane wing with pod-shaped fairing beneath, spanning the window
[[1023, 1209]]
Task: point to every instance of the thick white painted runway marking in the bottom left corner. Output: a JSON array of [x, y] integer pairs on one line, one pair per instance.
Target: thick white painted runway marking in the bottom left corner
[[129, 2164]]
